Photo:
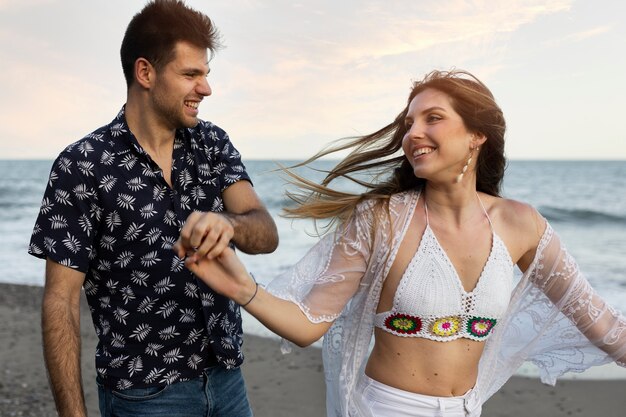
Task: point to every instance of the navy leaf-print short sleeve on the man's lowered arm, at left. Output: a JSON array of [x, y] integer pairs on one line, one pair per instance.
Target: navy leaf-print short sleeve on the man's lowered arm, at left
[[69, 214]]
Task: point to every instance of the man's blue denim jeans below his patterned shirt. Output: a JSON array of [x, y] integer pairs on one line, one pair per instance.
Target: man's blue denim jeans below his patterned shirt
[[217, 393]]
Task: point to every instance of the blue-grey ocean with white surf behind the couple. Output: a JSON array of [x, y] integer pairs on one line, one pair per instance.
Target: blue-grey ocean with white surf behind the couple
[[585, 201]]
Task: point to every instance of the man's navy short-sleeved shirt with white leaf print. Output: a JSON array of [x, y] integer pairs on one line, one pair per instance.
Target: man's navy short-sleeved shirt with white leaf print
[[108, 212]]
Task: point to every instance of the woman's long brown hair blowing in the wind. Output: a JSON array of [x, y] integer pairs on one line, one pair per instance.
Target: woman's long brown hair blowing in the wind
[[379, 153]]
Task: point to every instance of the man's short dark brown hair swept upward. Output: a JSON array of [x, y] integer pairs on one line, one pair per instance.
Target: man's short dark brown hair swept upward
[[154, 31]]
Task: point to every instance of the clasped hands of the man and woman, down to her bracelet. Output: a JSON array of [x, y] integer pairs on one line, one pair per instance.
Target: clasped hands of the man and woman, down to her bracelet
[[203, 243]]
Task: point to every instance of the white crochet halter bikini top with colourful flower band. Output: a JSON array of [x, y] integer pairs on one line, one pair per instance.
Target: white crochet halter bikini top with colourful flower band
[[430, 301]]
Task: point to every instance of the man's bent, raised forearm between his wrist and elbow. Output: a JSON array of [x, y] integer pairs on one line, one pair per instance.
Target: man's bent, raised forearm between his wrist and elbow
[[254, 231]]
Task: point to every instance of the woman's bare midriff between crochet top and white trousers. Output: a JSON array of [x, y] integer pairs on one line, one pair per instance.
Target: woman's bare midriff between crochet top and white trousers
[[424, 366]]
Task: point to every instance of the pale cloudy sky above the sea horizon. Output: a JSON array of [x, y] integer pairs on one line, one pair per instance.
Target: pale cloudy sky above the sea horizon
[[294, 75]]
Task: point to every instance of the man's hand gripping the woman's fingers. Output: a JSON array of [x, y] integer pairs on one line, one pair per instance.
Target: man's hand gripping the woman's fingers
[[204, 235]]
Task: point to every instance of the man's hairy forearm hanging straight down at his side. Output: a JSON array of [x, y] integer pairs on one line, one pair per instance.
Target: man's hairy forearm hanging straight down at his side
[[61, 346]]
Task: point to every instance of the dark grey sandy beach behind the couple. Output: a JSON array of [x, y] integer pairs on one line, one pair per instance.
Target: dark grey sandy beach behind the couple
[[278, 385]]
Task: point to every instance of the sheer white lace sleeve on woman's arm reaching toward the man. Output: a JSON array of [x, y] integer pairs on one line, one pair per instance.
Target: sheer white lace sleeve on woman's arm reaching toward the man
[[327, 277]]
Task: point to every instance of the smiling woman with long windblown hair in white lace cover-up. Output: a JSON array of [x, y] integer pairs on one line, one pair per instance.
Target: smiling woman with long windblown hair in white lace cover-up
[[424, 262]]
